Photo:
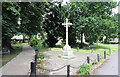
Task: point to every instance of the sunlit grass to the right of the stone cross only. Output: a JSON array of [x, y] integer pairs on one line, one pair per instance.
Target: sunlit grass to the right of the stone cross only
[[98, 48]]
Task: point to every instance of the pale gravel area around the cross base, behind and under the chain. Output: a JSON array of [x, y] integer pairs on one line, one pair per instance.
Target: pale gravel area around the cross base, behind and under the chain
[[54, 62]]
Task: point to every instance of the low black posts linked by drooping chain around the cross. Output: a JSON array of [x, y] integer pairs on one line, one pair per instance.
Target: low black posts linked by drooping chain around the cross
[[33, 65]]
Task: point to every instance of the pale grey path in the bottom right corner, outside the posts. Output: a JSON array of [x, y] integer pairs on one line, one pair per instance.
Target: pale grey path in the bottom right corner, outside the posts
[[110, 67]]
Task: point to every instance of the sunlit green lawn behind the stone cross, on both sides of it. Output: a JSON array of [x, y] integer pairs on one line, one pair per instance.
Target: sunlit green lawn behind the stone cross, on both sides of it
[[96, 48]]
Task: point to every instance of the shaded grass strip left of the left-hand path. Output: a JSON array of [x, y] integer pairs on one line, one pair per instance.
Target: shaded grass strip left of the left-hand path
[[7, 57]]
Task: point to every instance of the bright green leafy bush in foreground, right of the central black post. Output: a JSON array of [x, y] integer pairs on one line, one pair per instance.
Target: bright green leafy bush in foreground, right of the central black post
[[85, 69]]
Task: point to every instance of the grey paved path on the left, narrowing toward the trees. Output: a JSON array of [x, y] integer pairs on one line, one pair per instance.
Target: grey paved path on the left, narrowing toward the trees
[[21, 64]]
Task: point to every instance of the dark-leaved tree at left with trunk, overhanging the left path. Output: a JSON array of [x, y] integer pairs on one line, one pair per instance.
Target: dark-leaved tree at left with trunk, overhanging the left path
[[30, 16]]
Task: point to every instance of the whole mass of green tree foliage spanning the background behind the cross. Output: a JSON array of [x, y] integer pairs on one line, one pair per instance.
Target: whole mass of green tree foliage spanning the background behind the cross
[[38, 17]]
